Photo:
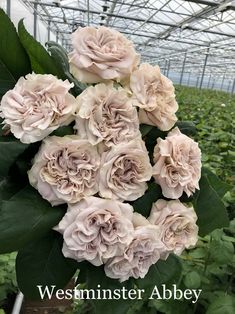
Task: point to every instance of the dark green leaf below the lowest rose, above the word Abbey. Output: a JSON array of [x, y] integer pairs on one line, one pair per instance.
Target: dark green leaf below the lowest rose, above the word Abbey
[[163, 272]]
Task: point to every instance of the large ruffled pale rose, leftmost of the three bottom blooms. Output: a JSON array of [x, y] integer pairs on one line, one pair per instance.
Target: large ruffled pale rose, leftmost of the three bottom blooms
[[96, 229]]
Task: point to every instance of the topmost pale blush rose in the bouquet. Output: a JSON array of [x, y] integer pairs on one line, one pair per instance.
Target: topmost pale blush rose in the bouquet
[[101, 54]]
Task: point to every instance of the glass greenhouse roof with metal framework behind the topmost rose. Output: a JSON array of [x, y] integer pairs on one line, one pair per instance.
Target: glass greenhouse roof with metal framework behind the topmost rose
[[194, 39]]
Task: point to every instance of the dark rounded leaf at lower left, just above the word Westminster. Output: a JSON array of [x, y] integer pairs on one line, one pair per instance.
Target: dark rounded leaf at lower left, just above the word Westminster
[[43, 263]]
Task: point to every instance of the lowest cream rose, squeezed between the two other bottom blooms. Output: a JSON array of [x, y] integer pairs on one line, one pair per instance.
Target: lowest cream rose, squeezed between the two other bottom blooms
[[145, 250]]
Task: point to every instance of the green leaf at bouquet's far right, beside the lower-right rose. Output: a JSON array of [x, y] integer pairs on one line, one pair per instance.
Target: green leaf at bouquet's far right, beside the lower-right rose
[[210, 209]]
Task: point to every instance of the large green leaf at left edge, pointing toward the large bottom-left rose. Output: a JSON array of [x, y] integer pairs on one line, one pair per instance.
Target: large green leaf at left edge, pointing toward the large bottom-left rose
[[24, 217]]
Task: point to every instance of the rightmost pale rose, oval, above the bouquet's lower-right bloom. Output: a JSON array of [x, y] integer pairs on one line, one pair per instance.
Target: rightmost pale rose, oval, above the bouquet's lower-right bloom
[[177, 164]]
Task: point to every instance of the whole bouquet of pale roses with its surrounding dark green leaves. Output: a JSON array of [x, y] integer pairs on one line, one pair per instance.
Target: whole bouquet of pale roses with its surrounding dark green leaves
[[95, 169]]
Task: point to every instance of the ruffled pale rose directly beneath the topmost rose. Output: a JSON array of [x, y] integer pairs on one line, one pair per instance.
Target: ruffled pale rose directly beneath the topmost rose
[[106, 114]]
